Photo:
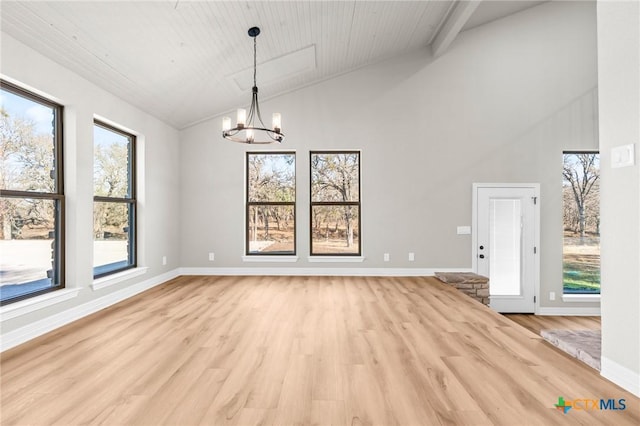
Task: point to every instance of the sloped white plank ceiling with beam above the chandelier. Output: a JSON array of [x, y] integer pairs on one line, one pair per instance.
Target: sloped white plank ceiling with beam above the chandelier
[[183, 61]]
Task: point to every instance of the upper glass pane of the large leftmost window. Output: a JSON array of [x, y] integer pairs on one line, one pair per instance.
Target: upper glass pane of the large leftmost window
[[28, 144]]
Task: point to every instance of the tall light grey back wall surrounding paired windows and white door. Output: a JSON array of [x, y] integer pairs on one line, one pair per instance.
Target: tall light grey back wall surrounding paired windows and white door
[[500, 106]]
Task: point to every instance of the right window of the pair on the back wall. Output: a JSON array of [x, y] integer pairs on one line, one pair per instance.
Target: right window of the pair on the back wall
[[335, 203]]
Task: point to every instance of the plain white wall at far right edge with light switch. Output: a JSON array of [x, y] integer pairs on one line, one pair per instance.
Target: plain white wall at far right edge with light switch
[[619, 93]]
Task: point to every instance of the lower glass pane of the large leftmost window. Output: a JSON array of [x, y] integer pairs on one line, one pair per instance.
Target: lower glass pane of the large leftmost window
[[28, 246]]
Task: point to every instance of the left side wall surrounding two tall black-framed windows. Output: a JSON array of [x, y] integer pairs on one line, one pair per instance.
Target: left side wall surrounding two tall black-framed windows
[[158, 177]]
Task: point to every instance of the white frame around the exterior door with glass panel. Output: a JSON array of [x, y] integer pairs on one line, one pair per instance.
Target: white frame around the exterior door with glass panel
[[536, 221]]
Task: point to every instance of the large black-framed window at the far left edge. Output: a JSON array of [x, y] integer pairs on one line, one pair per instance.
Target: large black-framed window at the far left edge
[[31, 195]]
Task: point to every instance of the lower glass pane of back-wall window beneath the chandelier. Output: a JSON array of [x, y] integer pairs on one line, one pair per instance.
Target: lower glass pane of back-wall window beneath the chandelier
[[271, 229]]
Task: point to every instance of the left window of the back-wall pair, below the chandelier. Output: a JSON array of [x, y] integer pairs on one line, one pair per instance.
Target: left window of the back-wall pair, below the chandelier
[[271, 203]]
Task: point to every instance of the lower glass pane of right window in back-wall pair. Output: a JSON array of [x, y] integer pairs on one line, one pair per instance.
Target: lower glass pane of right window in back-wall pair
[[335, 229]]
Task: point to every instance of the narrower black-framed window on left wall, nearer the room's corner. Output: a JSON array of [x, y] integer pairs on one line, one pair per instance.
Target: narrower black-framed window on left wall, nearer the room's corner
[[114, 200]]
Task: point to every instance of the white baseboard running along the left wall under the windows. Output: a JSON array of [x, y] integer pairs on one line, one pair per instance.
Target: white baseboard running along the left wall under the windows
[[50, 323]]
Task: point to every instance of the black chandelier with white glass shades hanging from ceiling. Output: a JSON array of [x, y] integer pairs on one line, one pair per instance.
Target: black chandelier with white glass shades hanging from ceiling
[[249, 127]]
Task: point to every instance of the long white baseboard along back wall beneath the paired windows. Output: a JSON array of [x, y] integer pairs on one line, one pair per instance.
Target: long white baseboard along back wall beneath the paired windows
[[320, 271]]
